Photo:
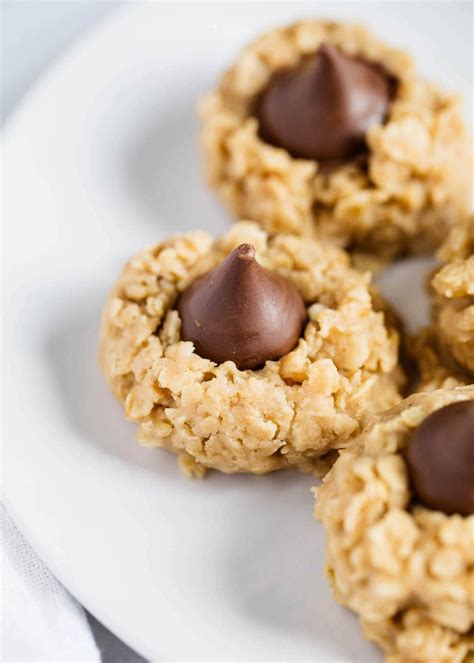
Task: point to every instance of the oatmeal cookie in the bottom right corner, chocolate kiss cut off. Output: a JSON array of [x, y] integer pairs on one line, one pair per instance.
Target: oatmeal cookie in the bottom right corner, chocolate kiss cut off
[[398, 509]]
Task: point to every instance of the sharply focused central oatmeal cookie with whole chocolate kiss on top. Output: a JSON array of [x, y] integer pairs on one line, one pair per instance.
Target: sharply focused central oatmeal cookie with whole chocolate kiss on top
[[337, 360]]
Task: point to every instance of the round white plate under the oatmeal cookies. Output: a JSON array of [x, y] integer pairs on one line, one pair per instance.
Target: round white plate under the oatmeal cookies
[[100, 160]]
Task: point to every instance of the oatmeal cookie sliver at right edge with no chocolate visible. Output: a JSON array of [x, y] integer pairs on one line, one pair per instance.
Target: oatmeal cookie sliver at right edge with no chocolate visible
[[445, 351]]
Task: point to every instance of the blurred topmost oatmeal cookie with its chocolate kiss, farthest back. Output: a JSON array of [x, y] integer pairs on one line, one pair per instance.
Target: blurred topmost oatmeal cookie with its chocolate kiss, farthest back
[[322, 128]]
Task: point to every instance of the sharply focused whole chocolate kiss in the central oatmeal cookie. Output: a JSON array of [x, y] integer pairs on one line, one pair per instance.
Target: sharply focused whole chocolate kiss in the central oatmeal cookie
[[241, 312]]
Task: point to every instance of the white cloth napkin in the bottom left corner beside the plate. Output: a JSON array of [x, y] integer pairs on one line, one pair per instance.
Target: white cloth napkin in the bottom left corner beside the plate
[[41, 621]]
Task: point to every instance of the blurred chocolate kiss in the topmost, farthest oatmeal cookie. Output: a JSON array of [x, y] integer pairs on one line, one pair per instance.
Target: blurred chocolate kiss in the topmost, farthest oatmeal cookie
[[322, 108]]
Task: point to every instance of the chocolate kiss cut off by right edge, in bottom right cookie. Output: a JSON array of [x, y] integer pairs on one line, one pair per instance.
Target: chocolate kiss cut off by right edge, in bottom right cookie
[[440, 457]]
